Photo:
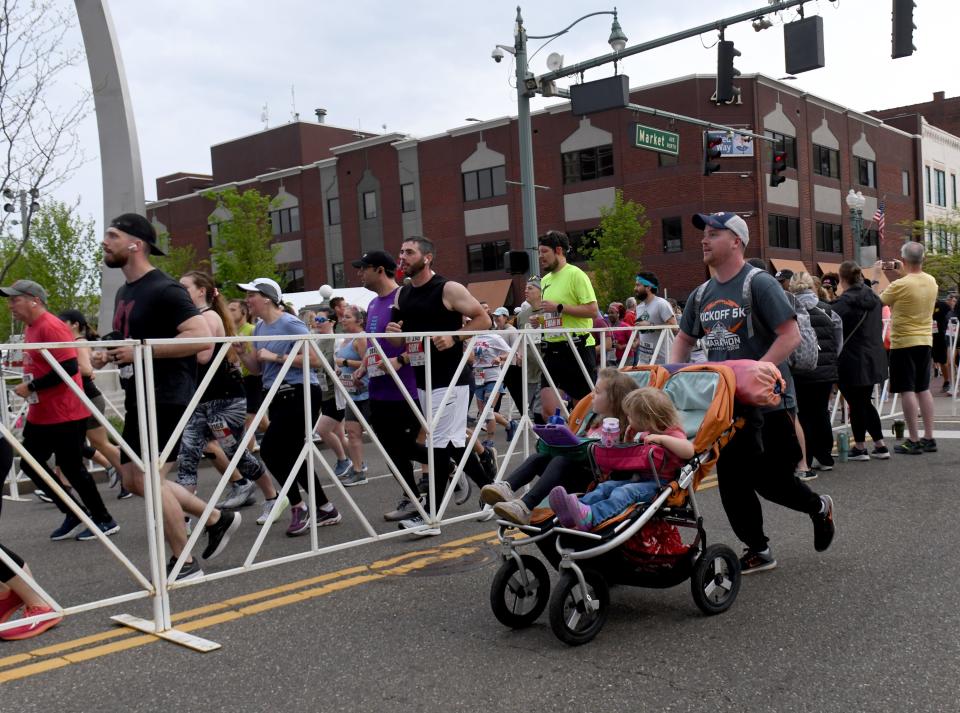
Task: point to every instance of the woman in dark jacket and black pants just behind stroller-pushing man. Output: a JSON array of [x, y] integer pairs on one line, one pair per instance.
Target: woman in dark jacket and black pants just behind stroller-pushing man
[[814, 387]]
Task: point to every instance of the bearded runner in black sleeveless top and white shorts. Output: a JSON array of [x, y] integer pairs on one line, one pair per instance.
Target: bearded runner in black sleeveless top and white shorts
[[431, 303]]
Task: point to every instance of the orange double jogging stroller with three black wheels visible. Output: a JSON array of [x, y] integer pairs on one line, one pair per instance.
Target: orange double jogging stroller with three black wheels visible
[[639, 547]]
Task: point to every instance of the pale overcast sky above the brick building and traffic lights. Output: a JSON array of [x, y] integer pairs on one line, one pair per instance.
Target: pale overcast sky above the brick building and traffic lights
[[199, 73]]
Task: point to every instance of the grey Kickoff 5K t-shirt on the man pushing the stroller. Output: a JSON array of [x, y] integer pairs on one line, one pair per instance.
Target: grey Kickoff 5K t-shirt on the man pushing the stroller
[[722, 323]]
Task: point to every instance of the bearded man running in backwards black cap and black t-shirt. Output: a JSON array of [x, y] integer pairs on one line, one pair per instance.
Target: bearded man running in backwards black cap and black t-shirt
[[152, 305]]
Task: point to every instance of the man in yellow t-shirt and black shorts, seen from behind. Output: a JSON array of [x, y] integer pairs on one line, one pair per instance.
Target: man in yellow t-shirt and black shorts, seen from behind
[[911, 298]]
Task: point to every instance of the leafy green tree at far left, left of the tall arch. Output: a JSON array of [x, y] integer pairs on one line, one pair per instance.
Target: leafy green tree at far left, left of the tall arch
[[63, 254]]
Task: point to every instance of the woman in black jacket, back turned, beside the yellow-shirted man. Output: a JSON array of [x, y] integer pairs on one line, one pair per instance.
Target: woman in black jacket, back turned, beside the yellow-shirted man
[[863, 361]]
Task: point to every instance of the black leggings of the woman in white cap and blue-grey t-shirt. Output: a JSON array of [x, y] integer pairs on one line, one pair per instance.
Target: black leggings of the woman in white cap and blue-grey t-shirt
[[284, 439]]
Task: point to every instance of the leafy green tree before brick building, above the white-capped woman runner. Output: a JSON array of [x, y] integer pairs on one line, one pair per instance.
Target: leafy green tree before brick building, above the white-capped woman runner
[[242, 249]]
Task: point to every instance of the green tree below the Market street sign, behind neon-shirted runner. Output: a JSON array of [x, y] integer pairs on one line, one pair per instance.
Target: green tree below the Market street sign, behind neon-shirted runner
[[616, 258]]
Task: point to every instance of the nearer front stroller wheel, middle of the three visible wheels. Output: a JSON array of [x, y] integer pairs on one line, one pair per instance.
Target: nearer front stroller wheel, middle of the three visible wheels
[[577, 616]]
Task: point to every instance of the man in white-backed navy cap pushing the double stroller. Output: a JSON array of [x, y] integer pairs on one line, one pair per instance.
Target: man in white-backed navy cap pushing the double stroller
[[760, 458]]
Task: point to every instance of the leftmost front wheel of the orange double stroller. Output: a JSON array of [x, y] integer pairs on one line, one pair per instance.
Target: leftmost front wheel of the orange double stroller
[[514, 603]]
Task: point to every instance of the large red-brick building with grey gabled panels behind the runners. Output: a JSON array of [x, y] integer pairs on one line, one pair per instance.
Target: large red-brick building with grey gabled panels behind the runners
[[340, 194]]
